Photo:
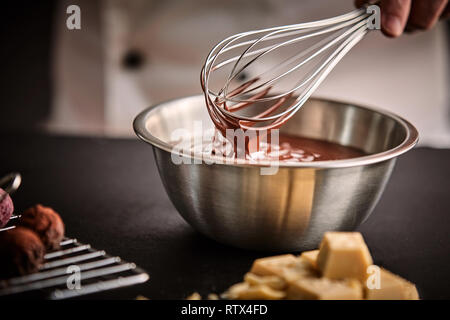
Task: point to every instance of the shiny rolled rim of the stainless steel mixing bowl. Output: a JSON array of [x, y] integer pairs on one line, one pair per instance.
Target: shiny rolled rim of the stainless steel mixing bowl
[[411, 139]]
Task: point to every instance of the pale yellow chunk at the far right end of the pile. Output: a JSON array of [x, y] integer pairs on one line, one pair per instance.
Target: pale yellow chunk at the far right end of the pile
[[389, 287]]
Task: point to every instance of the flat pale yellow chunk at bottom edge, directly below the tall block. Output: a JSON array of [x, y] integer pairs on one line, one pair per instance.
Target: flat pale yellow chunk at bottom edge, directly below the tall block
[[325, 289]]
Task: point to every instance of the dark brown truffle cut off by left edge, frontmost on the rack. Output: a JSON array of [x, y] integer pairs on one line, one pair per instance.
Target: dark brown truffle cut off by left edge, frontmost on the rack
[[21, 252]]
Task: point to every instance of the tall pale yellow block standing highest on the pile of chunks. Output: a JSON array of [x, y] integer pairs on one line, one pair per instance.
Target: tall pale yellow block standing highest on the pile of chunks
[[344, 255]]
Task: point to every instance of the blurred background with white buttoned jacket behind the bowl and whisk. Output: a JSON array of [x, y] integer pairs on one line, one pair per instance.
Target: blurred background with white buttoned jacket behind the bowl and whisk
[[131, 54]]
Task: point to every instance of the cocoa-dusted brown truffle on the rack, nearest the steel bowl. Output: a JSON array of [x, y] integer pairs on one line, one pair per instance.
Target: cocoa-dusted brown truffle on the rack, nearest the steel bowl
[[46, 223]]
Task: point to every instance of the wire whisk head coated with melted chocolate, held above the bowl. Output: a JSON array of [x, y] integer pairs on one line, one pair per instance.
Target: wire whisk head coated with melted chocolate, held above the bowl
[[287, 63]]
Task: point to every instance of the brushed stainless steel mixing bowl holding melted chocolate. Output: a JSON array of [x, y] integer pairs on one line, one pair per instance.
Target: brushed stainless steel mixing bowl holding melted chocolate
[[288, 211]]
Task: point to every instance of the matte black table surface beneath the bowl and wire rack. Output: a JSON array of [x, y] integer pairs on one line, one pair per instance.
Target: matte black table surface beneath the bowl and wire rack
[[109, 194]]
